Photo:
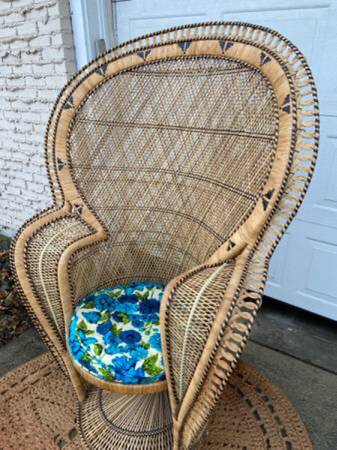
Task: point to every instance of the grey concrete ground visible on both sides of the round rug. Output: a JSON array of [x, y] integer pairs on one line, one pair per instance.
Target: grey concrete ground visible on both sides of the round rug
[[297, 351]]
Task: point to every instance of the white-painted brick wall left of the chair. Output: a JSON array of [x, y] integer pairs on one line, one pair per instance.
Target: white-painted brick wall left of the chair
[[36, 58]]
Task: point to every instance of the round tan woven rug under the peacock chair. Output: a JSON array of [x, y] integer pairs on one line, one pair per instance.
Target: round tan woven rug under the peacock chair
[[38, 411]]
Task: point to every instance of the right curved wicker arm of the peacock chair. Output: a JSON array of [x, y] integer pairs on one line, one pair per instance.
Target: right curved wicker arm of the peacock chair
[[195, 313]]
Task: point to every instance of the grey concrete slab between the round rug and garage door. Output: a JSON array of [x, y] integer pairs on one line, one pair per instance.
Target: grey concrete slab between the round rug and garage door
[[311, 390]]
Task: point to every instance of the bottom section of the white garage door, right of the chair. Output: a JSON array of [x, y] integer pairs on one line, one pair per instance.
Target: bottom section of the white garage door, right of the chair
[[308, 277]]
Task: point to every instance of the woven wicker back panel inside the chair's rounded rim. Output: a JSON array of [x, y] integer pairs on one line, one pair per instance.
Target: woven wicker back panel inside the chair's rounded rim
[[172, 156]]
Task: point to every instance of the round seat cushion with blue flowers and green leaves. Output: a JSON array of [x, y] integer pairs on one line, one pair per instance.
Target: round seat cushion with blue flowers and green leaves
[[114, 334]]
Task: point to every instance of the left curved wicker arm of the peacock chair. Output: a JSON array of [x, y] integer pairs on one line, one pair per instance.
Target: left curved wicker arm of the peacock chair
[[39, 254]]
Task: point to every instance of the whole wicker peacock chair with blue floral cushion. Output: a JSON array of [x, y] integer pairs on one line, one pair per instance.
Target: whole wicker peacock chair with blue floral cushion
[[176, 159]]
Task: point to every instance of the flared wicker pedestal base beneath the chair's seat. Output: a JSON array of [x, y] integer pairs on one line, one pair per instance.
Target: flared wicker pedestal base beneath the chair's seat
[[112, 421]]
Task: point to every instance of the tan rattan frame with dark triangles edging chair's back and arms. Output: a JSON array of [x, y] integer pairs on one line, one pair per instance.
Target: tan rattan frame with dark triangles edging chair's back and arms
[[250, 246]]
